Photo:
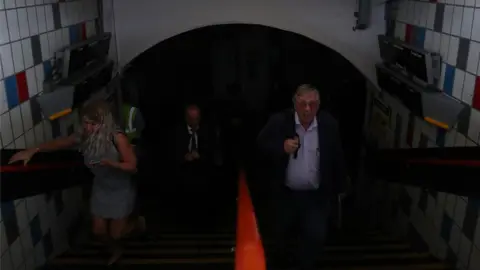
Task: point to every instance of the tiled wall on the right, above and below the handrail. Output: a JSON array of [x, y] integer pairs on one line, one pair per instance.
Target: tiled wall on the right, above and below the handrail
[[447, 224]]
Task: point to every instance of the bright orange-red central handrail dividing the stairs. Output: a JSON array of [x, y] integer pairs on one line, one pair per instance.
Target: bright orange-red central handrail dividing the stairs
[[249, 253]]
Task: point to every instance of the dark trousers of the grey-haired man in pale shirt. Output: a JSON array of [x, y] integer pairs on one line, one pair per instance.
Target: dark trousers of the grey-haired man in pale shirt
[[303, 217]]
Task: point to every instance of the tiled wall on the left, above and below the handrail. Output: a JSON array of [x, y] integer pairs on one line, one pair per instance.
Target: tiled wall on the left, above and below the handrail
[[33, 229]]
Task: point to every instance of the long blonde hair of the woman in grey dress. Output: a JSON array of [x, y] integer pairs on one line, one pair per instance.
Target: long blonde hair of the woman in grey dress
[[98, 142]]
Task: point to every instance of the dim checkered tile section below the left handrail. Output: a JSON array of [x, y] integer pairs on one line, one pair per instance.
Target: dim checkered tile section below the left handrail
[[35, 229]]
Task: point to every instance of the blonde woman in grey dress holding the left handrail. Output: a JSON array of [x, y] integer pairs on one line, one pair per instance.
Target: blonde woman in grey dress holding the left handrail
[[111, 159]]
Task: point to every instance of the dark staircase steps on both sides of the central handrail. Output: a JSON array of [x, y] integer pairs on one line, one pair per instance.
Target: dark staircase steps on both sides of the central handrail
[[202, 235]]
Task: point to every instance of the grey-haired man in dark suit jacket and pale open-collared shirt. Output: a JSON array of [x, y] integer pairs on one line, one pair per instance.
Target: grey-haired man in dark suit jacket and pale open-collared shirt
[[307, 172]]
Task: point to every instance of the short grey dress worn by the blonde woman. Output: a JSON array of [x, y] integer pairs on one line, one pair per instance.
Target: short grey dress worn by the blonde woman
[[113, 193]]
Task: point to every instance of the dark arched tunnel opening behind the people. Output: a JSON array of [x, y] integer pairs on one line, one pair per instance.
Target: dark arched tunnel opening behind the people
[[243, 69]]
